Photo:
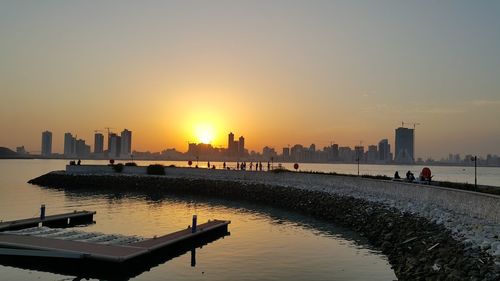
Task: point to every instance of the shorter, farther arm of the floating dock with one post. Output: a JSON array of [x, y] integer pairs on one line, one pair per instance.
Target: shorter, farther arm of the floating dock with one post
[[61, 220]]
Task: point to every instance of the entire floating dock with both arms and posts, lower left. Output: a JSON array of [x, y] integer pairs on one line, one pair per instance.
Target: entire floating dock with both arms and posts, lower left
[[33, 244]]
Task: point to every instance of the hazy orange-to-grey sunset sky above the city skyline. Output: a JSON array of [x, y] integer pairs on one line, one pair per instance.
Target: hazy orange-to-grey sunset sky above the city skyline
[[277, 72]]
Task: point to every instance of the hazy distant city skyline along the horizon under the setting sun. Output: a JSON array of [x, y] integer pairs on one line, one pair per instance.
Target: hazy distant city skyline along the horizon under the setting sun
[[120, 147]]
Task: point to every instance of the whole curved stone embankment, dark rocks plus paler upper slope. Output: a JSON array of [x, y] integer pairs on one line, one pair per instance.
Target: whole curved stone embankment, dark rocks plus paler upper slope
[[424, 236]]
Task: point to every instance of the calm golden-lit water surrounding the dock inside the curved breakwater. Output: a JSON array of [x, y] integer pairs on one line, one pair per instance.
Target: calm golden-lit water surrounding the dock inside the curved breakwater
[[265, 243]]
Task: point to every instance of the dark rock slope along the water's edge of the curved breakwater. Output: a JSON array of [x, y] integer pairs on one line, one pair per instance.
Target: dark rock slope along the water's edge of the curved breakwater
[[417, 248]]
